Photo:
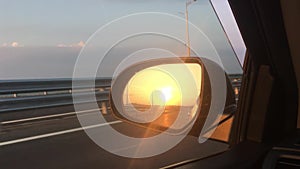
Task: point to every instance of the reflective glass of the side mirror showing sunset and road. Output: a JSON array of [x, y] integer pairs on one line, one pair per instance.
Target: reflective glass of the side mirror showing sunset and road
[[165, 96]]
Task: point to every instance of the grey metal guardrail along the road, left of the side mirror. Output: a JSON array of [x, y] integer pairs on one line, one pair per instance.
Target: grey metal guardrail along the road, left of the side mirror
[[18, 95]]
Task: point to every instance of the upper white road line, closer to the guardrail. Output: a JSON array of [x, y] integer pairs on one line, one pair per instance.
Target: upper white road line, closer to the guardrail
[[45, 117]]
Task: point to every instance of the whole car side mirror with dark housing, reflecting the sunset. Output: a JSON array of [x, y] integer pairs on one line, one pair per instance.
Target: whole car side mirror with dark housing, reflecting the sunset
[[170, 95]]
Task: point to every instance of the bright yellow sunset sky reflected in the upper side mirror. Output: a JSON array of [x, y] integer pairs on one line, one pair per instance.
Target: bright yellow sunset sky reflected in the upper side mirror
[[159, 85]]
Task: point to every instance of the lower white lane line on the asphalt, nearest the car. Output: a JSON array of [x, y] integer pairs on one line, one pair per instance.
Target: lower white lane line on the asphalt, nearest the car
[[56, 133]]
